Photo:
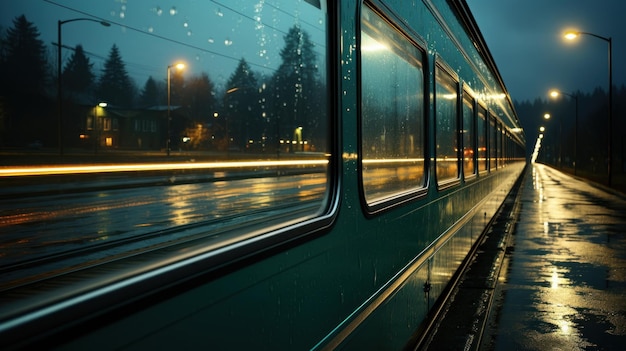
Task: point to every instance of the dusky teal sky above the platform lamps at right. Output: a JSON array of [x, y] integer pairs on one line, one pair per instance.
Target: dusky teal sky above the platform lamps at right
[[525, 38]]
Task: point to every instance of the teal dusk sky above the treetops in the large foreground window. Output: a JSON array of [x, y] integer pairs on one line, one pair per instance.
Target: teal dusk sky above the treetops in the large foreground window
[[209, 35]]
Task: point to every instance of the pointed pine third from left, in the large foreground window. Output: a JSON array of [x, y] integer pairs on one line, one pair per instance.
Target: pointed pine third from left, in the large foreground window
[[115, 86]]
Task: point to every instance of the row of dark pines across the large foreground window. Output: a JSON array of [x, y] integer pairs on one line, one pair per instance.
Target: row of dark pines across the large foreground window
[[252, 108]]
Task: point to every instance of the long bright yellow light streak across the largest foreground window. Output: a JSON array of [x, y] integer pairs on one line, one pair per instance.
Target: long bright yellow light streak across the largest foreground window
[[86, 169]]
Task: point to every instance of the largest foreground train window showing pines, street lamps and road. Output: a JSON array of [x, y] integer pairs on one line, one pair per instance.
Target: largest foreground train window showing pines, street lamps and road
[[194, 123]]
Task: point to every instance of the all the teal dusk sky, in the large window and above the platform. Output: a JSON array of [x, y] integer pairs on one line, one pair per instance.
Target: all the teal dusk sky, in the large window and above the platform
[[524, 36]]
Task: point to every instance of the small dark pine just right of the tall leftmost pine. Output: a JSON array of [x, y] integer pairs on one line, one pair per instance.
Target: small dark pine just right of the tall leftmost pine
[[78, 76]]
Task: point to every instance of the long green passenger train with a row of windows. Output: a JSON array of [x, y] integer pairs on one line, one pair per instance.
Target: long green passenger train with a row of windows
[[319, 175]]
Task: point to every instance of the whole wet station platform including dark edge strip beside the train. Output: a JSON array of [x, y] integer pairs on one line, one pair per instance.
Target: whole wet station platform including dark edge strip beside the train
[[557, 279]]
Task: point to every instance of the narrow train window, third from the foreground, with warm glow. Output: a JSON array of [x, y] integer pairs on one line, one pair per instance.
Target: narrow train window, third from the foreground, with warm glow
[[446, 126]]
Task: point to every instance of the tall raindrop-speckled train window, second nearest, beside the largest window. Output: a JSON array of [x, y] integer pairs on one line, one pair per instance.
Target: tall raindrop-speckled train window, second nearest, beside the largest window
[[392, 110]]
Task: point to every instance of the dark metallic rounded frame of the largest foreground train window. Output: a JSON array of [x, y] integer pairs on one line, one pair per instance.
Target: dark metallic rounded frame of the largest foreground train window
[[103, 290]]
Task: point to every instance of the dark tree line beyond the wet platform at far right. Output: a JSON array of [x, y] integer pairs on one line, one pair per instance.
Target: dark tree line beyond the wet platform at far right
[[565, 143]]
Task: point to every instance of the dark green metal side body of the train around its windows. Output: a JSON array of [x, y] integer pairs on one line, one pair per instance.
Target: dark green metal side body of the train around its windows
[[369, 282]]
